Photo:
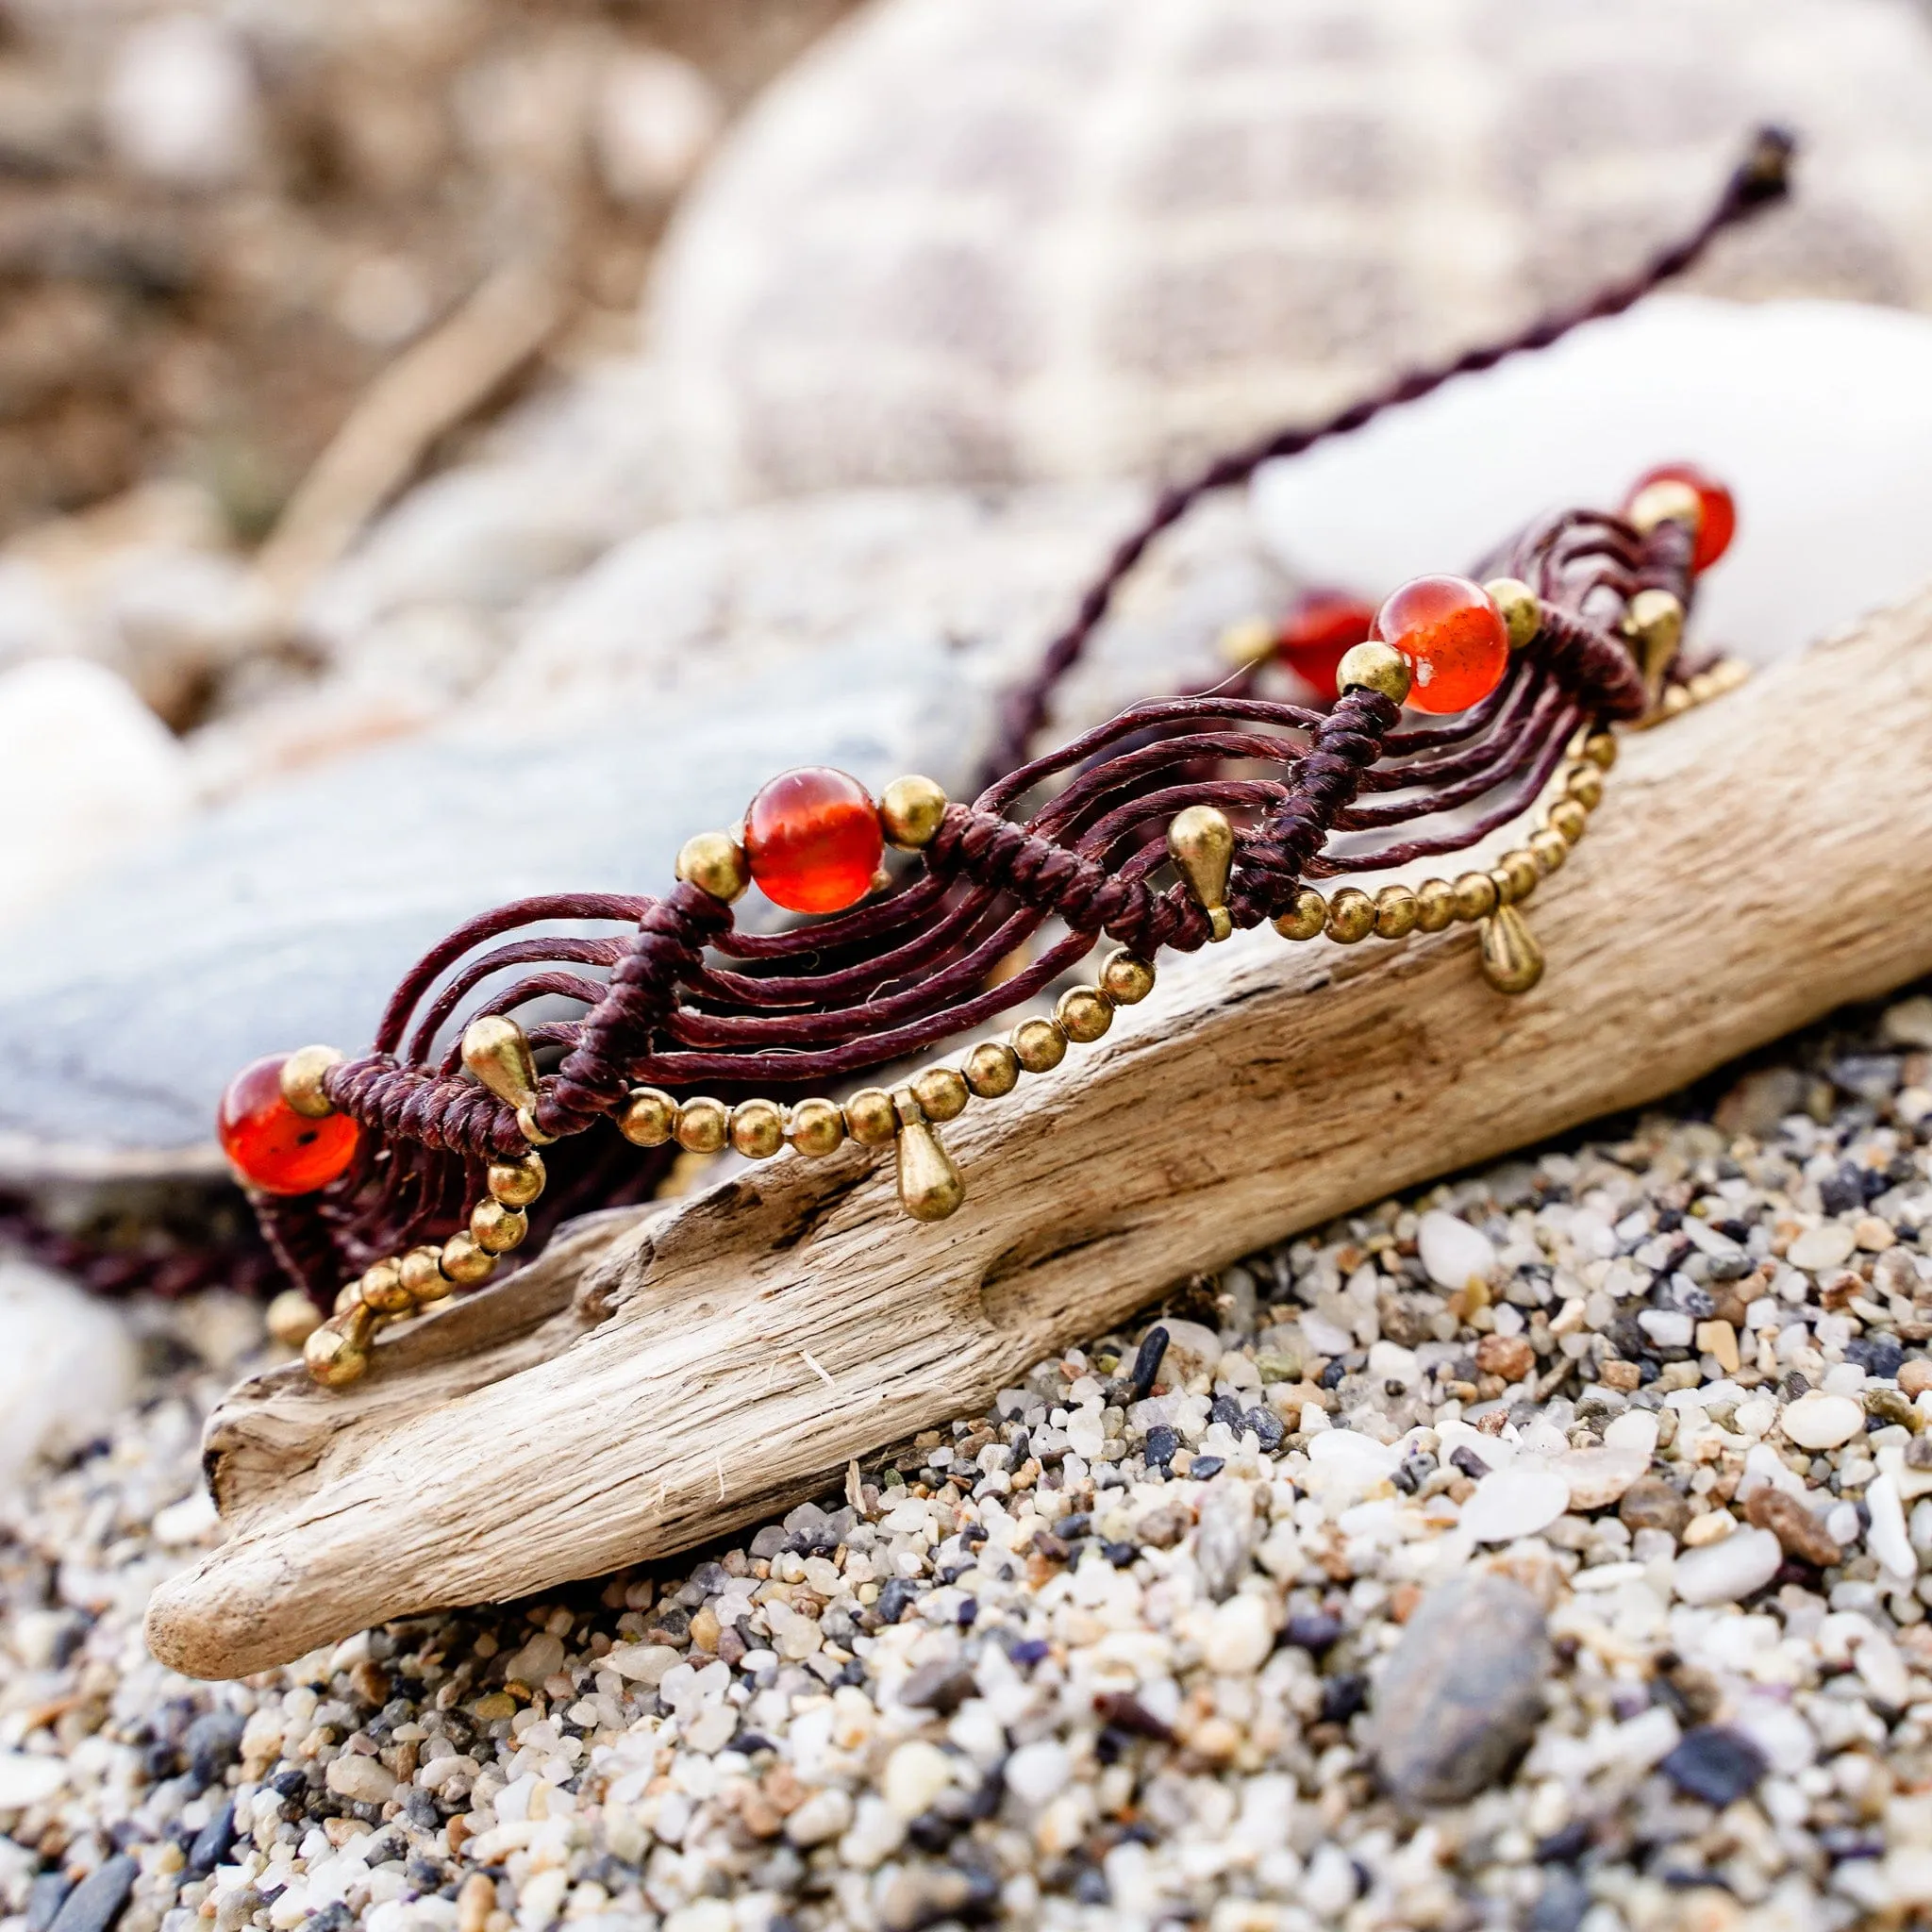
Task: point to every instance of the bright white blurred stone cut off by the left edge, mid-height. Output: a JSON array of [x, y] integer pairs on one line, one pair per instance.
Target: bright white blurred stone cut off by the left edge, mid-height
[[88, 776]]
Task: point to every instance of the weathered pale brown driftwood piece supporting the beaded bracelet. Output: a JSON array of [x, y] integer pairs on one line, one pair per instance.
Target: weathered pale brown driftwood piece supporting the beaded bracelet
[[666, 1377]]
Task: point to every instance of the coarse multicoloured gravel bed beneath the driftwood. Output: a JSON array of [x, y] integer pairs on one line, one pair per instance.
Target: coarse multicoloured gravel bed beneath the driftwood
[[1543, 1550]]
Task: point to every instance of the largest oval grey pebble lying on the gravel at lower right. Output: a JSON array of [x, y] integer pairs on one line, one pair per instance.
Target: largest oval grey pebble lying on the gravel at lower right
[[1460, 1699]]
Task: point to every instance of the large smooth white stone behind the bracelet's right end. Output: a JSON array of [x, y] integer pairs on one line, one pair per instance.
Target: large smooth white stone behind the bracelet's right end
[[1833, 486]]
